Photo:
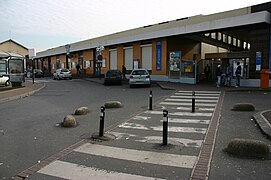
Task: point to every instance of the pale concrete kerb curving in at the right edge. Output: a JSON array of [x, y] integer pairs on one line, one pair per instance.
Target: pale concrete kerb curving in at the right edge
[[264, 125]]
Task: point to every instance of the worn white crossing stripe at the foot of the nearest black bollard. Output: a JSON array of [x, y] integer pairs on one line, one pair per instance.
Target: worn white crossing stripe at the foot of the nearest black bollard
[[155, 139]]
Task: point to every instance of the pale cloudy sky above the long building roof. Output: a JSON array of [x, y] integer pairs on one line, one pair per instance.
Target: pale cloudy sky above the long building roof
[[44, 24]]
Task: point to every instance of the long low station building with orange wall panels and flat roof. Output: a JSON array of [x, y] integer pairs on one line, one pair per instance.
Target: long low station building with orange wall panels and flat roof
[[178, 49]]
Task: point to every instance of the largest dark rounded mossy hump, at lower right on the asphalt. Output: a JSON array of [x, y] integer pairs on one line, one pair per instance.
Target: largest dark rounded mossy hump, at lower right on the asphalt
[[248, 148]]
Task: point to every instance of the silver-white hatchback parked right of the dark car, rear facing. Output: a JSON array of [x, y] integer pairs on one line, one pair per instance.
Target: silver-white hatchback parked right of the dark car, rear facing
[[139, 77]]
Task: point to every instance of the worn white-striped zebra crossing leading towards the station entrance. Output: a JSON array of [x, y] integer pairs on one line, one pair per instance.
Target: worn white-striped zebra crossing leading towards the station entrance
[[137, 151]]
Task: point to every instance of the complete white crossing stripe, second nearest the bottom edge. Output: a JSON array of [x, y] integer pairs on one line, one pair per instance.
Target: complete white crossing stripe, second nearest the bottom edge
[[157, 158]]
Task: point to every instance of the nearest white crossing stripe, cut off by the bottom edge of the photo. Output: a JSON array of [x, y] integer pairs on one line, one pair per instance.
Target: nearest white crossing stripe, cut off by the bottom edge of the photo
[[72, 171]]
